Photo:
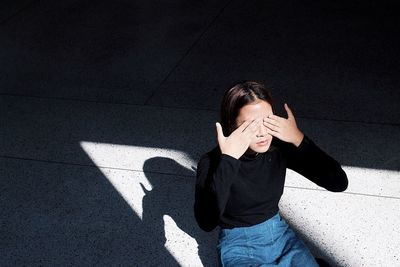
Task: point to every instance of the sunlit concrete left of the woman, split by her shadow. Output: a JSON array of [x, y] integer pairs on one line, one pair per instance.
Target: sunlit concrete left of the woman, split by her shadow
[[123, 167]]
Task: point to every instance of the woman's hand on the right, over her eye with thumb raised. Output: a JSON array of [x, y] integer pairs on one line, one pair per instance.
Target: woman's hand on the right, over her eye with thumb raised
[[284, 129]]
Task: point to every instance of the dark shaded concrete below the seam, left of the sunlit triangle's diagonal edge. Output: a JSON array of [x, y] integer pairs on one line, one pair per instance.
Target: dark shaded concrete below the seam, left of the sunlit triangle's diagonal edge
[[72, 216]]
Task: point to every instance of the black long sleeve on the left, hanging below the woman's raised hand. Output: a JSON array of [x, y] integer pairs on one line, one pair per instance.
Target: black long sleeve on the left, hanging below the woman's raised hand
[[215, 175]]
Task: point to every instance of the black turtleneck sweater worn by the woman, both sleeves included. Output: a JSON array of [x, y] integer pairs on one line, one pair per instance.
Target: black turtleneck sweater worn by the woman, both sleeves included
[[243, 192]]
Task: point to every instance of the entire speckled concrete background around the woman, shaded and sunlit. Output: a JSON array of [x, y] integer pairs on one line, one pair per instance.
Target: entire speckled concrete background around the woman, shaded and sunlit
[[106, 107]]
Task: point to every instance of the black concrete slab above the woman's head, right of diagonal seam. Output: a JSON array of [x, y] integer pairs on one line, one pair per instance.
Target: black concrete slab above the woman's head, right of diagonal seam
[[318, 56]]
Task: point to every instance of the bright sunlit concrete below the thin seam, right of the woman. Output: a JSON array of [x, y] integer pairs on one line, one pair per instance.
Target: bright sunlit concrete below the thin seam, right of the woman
[[347, 229]]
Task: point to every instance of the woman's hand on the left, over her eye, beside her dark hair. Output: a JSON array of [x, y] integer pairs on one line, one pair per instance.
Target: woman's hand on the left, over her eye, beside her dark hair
[[236, 144]]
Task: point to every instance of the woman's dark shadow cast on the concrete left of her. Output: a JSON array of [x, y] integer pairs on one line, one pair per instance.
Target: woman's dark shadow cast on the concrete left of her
[[173, 195]]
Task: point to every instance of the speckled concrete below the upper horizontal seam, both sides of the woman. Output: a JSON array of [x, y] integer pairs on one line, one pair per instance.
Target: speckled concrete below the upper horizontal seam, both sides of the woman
[[151, 179]]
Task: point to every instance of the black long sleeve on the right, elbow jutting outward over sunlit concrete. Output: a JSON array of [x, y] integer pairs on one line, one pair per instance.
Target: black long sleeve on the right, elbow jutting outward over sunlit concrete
[[313, 163]]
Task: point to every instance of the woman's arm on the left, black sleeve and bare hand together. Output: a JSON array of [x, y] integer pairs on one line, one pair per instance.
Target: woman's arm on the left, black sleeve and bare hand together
[[216, 172]]
